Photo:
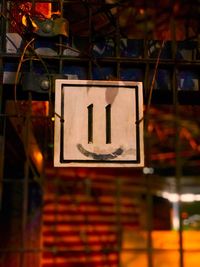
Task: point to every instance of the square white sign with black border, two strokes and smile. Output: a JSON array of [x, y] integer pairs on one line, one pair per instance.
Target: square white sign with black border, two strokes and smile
[[98, 123]]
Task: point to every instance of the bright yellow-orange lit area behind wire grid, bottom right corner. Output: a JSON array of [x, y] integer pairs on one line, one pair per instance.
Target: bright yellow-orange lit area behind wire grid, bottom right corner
[[166, 240]]
